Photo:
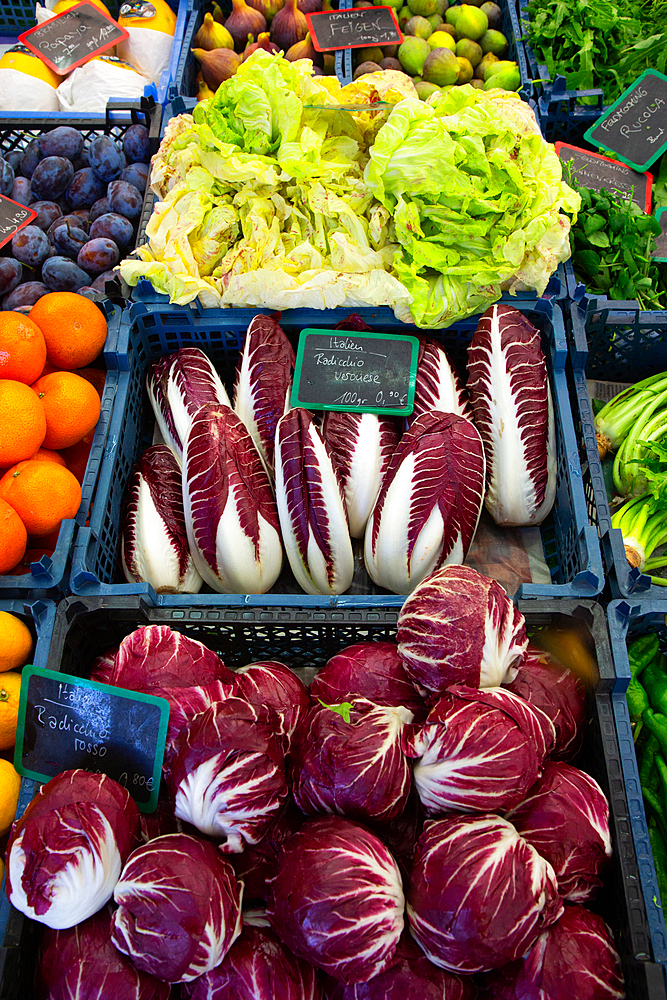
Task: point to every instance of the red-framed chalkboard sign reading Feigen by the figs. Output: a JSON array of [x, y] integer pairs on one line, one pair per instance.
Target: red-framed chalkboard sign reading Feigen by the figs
[[353, 29]]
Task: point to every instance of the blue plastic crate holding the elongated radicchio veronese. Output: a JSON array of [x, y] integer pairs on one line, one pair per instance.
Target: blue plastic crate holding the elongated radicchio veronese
[[570, 543]]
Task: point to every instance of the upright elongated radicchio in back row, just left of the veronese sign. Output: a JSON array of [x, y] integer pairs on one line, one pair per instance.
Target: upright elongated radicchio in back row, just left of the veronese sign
[[263, 382]]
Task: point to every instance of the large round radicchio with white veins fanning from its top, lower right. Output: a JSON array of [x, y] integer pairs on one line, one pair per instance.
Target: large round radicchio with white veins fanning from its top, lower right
[[479, 894]]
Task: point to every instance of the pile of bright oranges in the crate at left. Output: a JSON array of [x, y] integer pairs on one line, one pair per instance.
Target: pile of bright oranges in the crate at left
[[50, 396]]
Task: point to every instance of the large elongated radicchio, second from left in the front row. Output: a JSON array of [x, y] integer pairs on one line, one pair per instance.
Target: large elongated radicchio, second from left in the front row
[[230, 512]]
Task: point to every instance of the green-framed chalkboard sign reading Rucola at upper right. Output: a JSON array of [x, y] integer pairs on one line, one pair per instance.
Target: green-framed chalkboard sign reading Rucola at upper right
[[635, 126]]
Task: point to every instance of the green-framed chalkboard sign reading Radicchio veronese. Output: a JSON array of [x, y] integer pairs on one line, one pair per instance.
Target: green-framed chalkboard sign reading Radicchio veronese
[[355, 372]]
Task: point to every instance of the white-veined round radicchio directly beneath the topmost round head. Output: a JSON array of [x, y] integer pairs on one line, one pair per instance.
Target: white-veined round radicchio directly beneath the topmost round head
[[479, 750]]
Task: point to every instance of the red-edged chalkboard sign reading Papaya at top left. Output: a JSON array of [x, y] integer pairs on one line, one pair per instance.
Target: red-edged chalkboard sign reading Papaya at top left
[[71, 39]]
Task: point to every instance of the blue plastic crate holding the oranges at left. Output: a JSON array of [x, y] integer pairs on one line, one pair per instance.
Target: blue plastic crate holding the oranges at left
[[48, 576]]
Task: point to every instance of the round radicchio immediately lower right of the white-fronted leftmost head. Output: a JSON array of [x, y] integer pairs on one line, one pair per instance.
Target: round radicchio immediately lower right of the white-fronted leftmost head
[[179, 908]]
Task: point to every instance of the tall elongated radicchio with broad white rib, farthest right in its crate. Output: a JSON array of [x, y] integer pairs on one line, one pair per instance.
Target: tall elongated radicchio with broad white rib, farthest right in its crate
[[511, 397]]
